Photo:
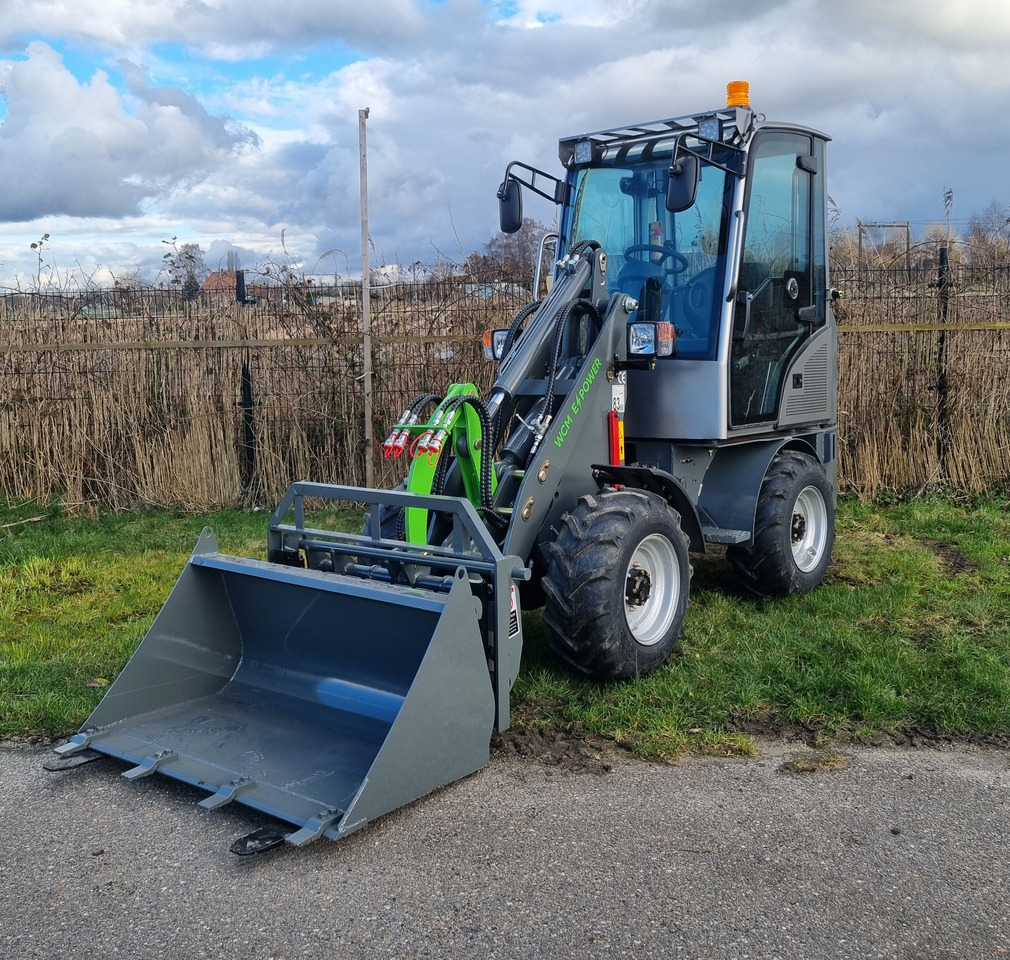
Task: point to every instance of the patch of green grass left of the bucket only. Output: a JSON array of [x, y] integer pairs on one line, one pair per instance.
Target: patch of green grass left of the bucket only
[[77, 598]]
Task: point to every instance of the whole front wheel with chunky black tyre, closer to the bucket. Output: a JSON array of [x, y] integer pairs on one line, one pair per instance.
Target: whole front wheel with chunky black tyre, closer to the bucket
[[618, 586]]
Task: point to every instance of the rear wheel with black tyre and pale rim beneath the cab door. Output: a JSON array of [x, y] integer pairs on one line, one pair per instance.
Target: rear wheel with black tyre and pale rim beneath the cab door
[[794, 530]]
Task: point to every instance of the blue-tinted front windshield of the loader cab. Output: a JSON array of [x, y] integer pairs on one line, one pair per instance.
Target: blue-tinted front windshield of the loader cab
[[625, 210]]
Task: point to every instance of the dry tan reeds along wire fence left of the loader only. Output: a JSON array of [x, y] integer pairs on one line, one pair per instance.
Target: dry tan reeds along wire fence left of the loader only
[[141, 405]]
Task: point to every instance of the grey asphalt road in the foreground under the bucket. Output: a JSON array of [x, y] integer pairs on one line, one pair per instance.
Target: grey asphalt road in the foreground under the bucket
[[902, 854]]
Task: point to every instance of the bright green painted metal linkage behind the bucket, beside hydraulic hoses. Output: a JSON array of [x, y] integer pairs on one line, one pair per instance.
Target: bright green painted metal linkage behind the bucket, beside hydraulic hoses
[[463, 434]]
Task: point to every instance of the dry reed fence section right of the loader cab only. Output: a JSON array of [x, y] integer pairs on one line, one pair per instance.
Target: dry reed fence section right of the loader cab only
[[924, 389]]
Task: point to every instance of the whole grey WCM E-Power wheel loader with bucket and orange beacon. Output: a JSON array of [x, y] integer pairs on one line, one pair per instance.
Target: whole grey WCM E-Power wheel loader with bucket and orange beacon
[[675, 390]]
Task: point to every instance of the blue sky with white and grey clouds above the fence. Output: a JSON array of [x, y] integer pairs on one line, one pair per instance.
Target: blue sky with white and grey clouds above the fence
[[235, 126]]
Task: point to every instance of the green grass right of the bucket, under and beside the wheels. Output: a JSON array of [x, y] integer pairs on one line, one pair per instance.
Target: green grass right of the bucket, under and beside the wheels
[[912, 632]]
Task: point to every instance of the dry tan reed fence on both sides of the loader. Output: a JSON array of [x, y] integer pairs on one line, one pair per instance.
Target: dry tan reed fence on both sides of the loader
[[113, 400]]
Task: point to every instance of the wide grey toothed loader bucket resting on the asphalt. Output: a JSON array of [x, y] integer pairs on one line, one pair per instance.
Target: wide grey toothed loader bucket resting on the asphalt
[[324, 701]]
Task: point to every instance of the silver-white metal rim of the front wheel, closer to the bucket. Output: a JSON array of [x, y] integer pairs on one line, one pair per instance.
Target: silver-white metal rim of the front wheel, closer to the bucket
[[655, 571]]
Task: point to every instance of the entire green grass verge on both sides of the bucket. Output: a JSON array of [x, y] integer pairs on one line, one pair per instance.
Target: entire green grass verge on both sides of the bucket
[[911, 632]]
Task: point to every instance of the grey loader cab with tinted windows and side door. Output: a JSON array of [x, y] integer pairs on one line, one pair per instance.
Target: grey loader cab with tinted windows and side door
[[741, 272]]
